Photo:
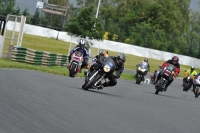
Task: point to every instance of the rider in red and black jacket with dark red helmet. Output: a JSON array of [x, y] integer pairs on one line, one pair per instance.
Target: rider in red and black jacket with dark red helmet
[[173, 61]]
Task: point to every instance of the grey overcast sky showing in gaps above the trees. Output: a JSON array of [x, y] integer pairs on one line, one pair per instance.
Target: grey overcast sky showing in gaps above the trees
[[31, 4]]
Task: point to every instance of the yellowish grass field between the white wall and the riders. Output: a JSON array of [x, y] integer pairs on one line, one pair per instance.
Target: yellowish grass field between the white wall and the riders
[[57, 46]]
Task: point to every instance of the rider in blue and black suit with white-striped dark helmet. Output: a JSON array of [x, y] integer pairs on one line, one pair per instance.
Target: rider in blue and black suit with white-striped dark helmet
[[83, 49]]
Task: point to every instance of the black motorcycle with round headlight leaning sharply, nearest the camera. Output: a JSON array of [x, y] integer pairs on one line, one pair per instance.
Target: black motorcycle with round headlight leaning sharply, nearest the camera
[[94, 80]]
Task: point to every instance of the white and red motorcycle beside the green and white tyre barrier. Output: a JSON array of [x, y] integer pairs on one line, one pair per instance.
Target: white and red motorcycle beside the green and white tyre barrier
[[75, 63]]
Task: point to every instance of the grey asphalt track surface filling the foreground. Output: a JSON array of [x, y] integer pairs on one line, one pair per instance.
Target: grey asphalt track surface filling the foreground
[[36, 102]]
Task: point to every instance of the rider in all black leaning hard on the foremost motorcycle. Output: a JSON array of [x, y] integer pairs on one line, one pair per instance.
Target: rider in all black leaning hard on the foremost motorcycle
[[119, 62]]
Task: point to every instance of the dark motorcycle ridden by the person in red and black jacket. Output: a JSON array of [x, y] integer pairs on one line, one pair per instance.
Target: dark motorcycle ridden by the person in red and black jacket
[[167, 74]]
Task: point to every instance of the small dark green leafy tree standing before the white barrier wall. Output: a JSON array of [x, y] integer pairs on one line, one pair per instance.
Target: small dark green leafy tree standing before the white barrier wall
[[86, 25]]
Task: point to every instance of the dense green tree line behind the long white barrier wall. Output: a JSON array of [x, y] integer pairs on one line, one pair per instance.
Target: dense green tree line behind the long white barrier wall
[[167, 25]]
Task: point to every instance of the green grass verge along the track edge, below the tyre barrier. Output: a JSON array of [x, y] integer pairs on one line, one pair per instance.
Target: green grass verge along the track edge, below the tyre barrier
[[6, 63]]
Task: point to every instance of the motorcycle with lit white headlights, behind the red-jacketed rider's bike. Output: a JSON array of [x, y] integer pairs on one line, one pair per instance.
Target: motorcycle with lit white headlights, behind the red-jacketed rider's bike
[[141, 72]]
